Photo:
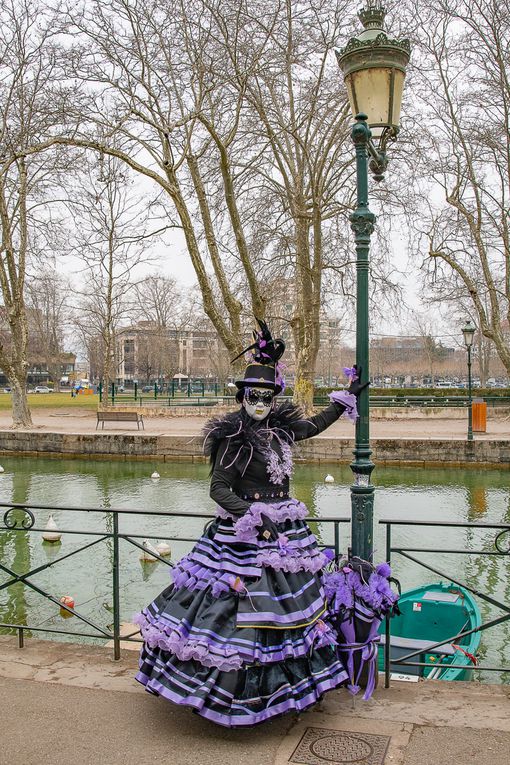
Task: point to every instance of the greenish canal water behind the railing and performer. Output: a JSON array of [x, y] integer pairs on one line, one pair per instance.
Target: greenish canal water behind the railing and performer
[[402, 493]]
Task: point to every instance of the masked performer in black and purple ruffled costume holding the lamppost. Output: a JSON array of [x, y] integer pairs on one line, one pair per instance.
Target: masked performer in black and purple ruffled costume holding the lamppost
[[242, 634]]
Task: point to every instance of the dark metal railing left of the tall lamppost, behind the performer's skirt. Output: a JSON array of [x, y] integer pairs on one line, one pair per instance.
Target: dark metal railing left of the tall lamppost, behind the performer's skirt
[[21, 518]]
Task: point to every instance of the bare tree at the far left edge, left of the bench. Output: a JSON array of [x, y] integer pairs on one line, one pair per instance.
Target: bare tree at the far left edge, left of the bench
[[32, 104]]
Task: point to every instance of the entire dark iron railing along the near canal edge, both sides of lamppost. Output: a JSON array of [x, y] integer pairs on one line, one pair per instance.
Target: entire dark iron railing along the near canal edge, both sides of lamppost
[[21, 518]]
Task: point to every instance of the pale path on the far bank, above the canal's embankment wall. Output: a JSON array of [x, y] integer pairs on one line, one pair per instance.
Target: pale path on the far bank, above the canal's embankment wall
[[84, 421]]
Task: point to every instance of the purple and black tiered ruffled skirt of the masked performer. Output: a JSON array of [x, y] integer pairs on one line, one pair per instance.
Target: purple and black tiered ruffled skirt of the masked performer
[[242, 634]]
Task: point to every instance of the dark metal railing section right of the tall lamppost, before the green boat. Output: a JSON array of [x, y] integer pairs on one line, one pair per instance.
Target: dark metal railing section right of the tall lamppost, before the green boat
[[500, 549]]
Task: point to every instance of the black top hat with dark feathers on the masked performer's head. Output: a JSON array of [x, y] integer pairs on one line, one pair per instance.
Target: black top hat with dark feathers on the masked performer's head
[[262, 371]]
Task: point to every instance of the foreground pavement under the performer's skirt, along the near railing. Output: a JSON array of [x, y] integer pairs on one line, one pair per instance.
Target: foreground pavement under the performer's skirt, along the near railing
[[63, 703]]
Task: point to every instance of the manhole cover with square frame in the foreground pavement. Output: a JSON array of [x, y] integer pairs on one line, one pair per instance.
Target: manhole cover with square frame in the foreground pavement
[[319, 746]]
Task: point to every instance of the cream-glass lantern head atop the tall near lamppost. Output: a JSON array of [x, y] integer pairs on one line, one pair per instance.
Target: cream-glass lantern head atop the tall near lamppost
[[374, 68]]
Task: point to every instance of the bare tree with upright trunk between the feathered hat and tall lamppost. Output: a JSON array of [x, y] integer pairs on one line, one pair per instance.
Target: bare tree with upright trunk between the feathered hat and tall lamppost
[[288, 157]]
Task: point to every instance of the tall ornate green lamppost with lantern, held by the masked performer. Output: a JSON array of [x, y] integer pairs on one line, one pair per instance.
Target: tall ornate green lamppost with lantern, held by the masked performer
[[374, 67]]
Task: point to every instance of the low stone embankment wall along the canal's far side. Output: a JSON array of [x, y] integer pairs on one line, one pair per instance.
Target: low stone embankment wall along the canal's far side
[[188, 447]]
